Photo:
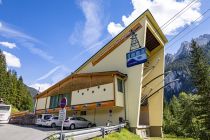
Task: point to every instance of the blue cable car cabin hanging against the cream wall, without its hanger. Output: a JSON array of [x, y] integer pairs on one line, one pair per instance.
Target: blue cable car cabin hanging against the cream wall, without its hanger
[[136, 57]]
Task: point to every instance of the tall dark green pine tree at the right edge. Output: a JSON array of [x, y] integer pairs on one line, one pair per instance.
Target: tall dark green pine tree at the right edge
[[199, 69]]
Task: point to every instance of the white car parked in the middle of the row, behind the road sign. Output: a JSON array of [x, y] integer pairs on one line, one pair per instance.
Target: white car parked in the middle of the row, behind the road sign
[[52, 122]]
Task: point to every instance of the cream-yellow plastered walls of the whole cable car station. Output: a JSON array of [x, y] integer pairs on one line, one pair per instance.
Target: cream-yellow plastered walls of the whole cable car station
[[116, 61]]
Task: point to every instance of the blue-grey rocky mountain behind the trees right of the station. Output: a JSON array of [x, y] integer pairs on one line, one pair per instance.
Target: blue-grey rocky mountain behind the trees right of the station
[[178, 64]]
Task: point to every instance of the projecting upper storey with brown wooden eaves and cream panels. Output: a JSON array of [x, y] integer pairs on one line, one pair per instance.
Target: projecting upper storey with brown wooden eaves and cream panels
[[85, 91]]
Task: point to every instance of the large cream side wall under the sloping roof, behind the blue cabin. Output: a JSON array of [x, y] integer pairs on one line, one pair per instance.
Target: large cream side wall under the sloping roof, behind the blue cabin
[[116, 61]]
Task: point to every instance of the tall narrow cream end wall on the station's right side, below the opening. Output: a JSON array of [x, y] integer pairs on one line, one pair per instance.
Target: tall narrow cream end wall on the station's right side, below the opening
[[155, 102]]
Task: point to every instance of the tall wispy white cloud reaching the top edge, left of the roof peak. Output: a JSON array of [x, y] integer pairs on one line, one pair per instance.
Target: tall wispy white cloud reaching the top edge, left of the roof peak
[[89, 32]]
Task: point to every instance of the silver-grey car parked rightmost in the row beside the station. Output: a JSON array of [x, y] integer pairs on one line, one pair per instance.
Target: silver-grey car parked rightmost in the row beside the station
[[76, 122]]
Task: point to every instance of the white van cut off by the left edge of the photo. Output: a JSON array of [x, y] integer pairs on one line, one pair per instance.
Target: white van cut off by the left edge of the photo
[[5, 112]]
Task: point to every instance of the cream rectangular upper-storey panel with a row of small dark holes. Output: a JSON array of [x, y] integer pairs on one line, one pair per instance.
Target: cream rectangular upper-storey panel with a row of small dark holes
[[84, 96]]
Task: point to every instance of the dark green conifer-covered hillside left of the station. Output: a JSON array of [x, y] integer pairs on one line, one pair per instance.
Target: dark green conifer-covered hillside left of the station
[[12, 89]]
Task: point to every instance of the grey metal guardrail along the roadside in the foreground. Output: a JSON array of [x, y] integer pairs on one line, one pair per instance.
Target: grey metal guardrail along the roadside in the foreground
[[87, 134]]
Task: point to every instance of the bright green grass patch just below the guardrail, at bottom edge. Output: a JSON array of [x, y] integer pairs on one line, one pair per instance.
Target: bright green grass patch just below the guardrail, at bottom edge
[[123, 135]]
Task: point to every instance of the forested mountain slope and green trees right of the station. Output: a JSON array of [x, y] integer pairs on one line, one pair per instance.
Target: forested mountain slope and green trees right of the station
[[188, 114]]
